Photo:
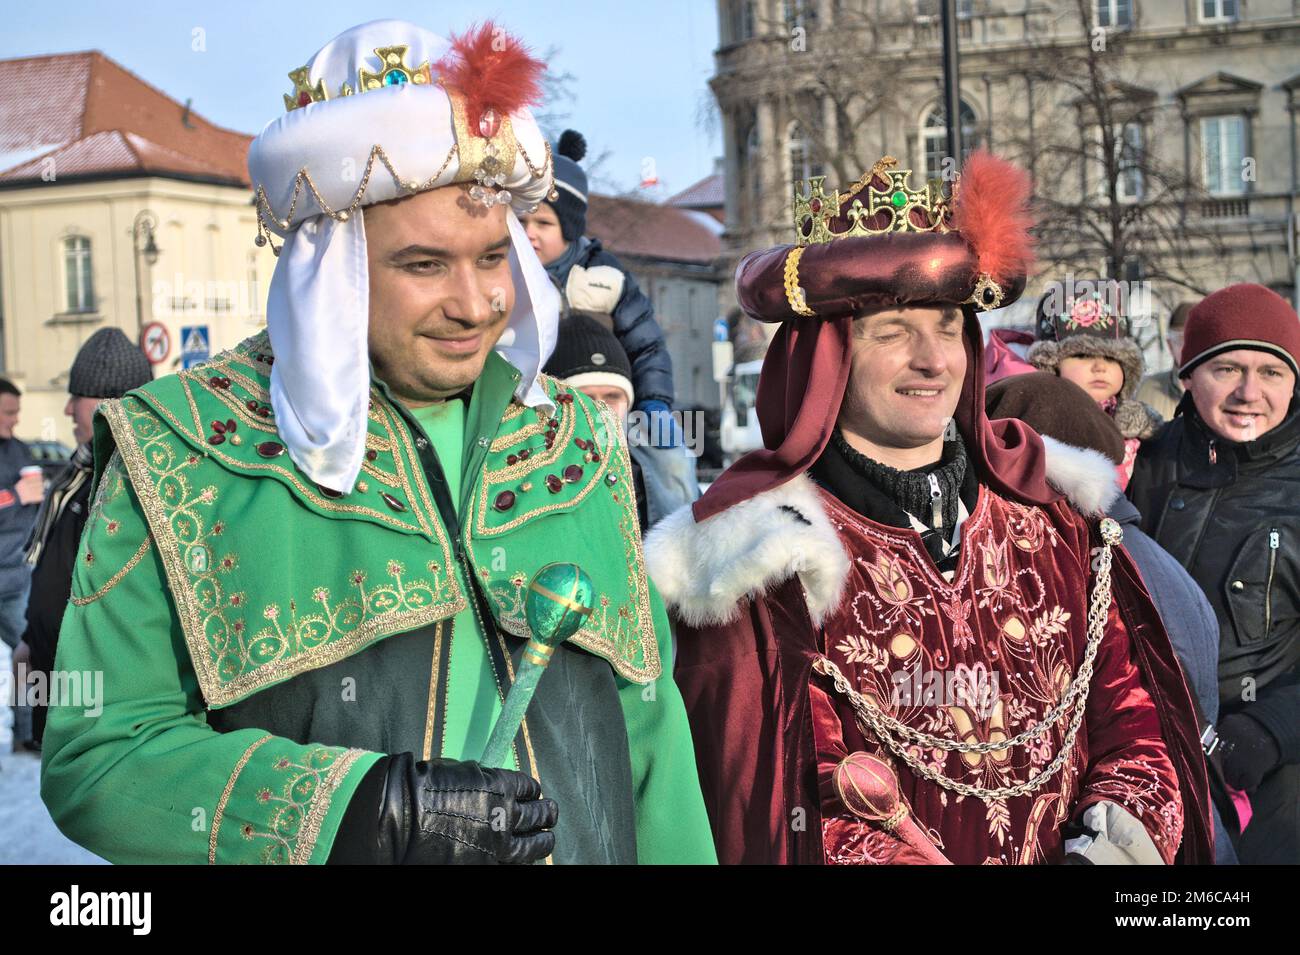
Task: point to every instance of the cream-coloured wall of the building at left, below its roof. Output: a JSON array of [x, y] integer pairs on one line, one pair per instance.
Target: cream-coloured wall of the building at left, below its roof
[[68, 267]]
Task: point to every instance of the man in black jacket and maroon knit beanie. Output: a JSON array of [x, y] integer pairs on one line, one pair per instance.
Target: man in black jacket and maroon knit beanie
[[1219, 489]]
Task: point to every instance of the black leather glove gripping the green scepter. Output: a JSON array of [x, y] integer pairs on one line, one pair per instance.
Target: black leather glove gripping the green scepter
[[445, 811]]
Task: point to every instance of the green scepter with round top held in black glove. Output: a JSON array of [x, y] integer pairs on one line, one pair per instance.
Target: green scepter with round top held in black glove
[[557, 605]]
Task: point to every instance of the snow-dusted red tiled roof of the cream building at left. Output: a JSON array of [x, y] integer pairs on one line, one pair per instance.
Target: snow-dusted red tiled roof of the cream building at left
[[93, 118]]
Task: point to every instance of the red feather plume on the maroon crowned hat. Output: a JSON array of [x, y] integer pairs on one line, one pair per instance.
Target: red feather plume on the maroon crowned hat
[[993, 214]]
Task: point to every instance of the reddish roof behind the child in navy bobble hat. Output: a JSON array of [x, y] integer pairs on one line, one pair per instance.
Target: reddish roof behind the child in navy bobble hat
[[629, 227]]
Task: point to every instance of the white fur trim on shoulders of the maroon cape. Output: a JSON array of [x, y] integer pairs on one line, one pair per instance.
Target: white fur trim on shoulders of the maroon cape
[[705, 570]]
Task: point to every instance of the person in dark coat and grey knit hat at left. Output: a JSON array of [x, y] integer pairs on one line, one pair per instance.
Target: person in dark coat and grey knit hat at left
[[107, 366]]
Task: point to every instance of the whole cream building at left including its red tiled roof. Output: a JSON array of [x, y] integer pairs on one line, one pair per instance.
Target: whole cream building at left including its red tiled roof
[[119, 207]]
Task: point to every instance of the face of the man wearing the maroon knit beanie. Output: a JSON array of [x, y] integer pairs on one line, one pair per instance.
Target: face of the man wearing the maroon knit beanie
[[1242, 394]]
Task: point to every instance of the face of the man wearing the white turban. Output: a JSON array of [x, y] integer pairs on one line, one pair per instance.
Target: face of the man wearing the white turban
[[441, 292]]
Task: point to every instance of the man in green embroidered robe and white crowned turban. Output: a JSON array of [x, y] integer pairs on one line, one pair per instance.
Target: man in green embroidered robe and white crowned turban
[[304, 571]]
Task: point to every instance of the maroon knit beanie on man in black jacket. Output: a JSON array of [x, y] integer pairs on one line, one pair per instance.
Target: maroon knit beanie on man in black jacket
[[1242, 316]]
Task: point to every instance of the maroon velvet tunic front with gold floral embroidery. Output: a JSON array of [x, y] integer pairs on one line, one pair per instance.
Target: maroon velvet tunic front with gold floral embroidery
[[1004, 639]]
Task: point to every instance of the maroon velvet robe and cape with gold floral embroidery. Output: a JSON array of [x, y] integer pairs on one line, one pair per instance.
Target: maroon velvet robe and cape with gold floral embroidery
[[769, 732]]
